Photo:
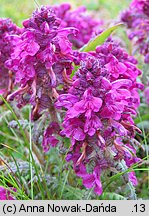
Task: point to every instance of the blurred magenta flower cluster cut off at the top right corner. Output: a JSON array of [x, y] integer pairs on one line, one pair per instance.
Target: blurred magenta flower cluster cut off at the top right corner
[[137, 20]]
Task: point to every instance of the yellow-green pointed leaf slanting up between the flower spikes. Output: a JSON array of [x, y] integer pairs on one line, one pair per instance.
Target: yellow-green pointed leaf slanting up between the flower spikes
[[99, 39]]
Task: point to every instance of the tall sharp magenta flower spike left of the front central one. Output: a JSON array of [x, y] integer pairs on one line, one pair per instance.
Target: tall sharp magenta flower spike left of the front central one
[[41, 60]]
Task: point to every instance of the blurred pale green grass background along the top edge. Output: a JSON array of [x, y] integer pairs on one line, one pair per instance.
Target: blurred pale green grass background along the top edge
[[19, 10]]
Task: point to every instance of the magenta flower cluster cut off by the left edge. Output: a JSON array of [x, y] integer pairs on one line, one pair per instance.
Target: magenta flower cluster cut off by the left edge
[[7, 28]]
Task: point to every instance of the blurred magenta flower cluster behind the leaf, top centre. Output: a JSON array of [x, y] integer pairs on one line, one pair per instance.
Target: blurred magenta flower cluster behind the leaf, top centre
[[79, 19]]
